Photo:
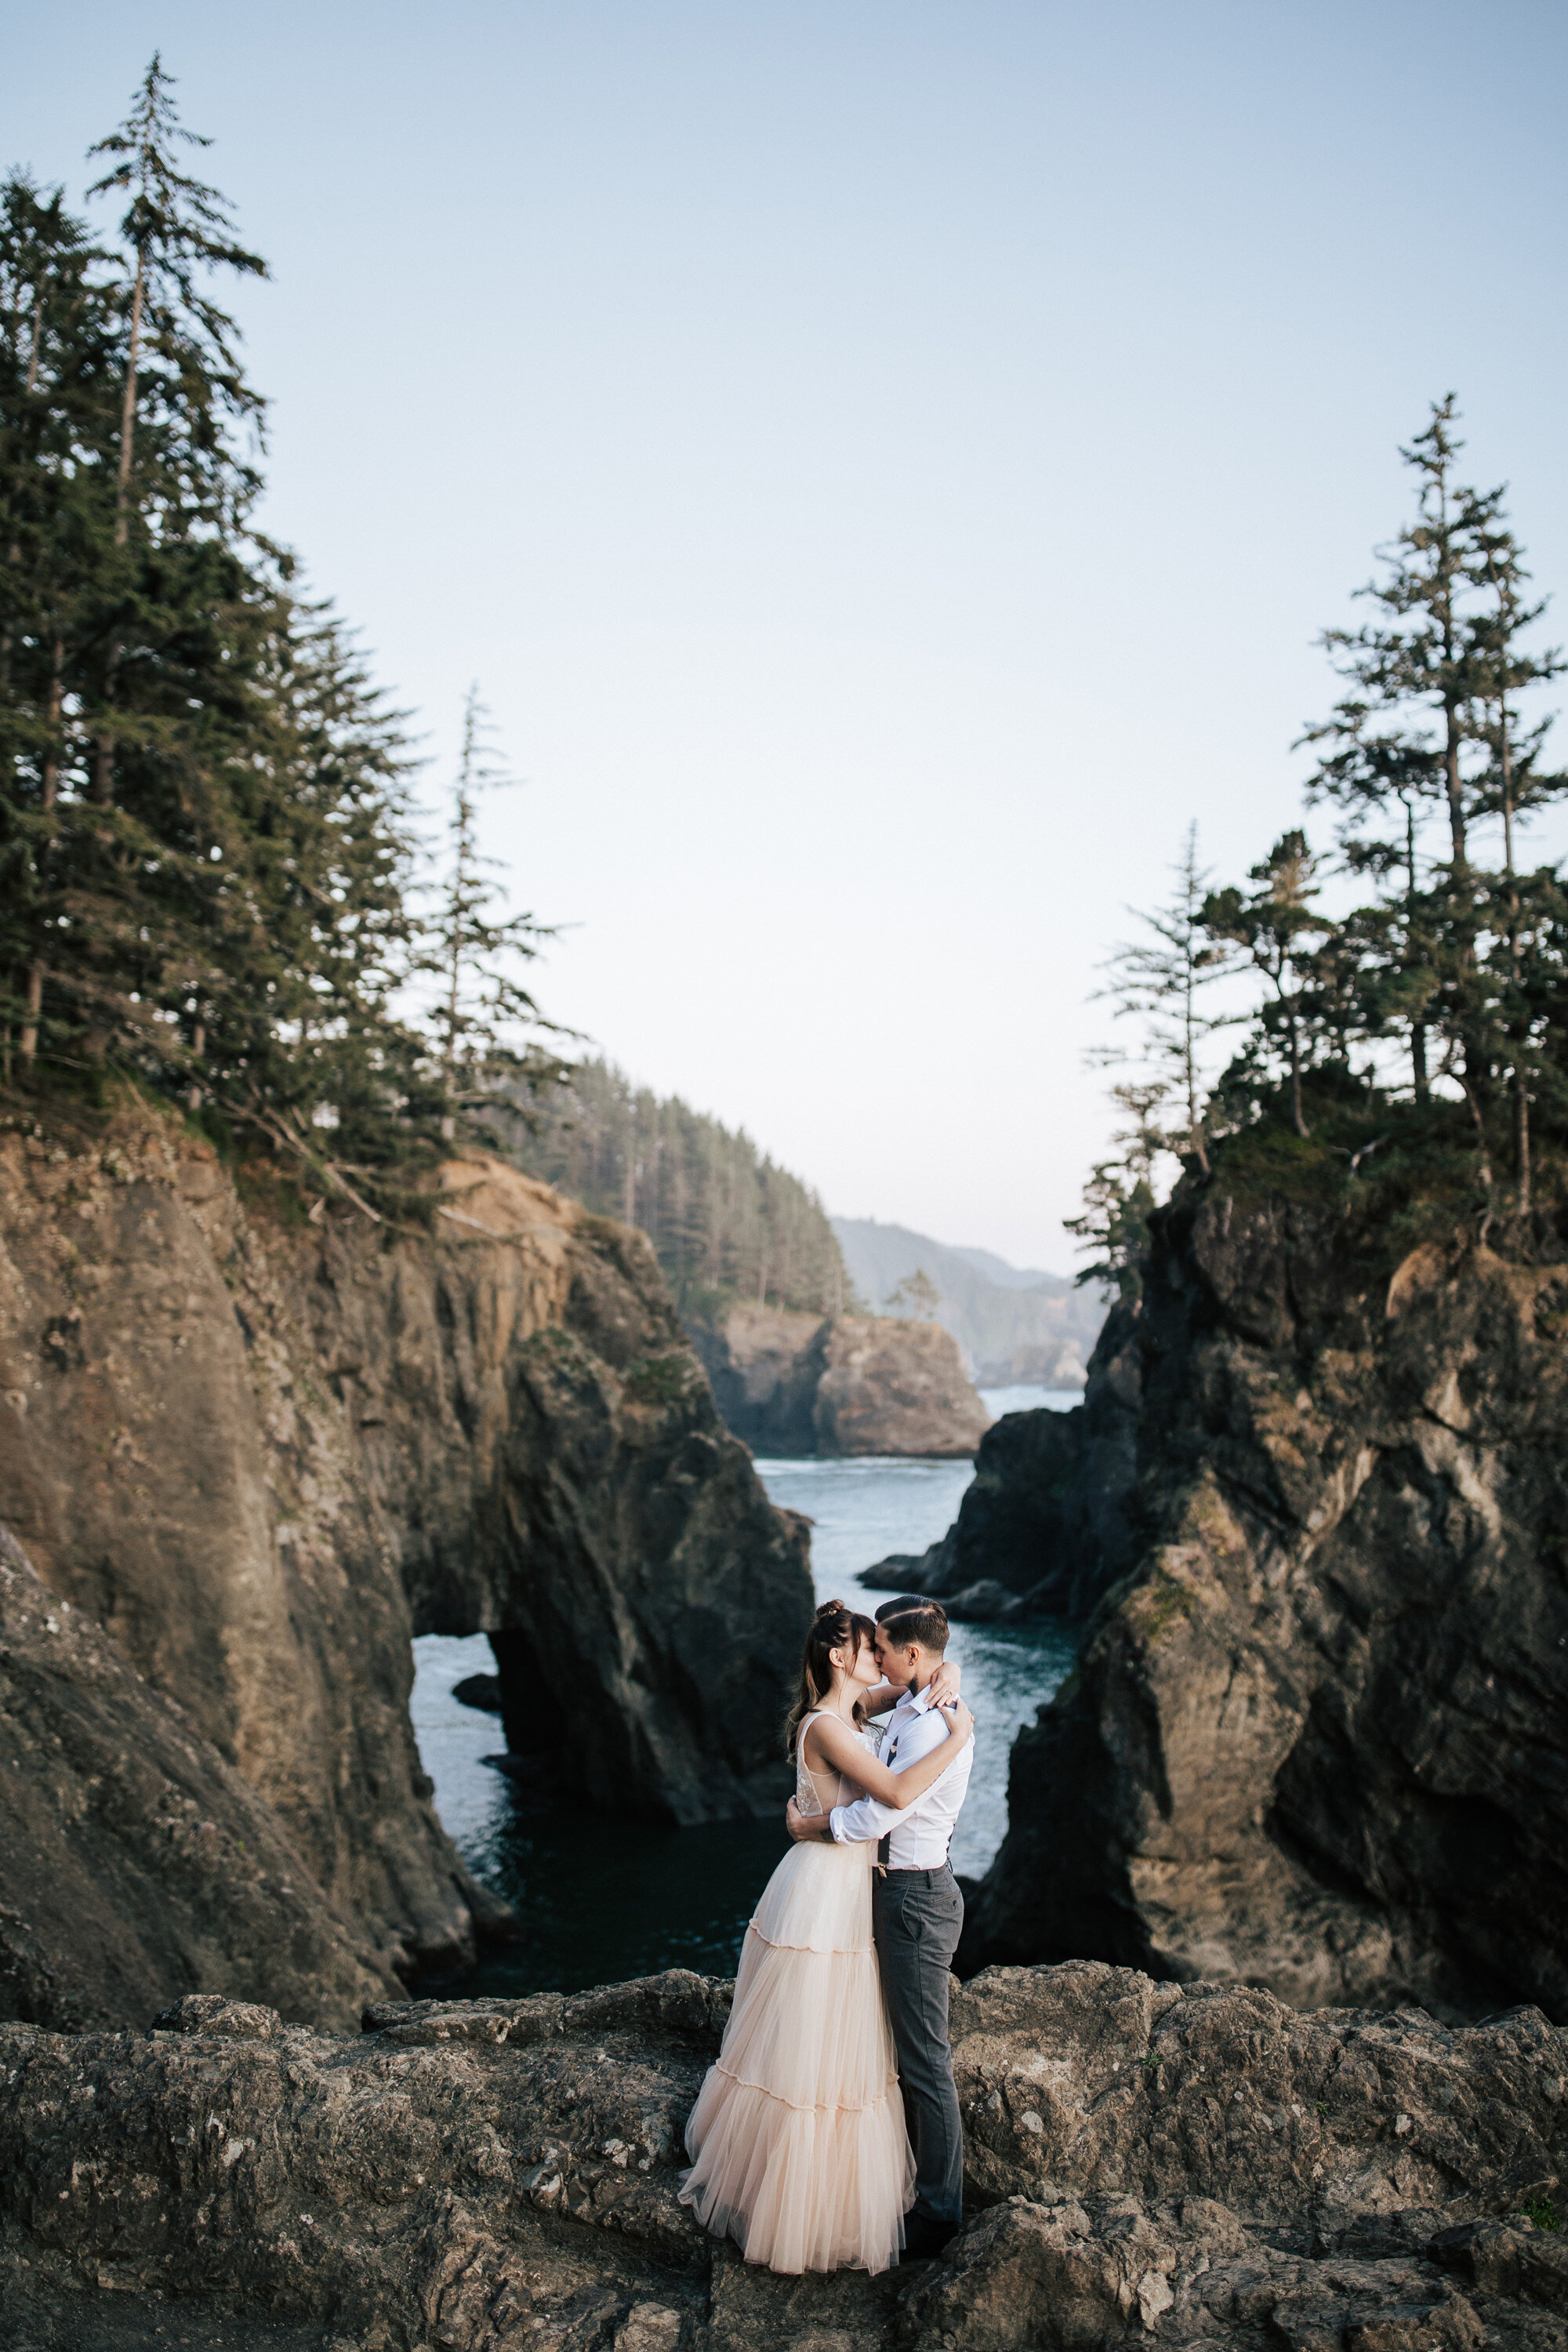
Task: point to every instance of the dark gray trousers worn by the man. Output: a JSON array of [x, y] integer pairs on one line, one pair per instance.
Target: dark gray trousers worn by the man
[[918, 1918]]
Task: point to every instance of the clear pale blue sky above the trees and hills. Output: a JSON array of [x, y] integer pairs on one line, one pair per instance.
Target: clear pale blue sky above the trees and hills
[[885, 465]]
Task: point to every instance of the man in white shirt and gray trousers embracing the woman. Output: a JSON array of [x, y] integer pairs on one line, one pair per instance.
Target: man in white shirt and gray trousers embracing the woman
[[918, 1913]]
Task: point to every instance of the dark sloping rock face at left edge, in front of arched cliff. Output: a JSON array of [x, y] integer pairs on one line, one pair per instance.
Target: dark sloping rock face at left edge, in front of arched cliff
[[138, 1864]]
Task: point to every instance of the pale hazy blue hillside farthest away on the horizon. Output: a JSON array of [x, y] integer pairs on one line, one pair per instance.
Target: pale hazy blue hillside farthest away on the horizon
[[1012, 1323]]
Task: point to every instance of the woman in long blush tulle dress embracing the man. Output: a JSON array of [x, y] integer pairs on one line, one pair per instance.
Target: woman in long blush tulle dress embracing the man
[[798, 2139]]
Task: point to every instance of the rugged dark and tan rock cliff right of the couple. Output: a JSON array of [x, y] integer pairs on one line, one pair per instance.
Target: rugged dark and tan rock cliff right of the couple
[[1318, 1737]]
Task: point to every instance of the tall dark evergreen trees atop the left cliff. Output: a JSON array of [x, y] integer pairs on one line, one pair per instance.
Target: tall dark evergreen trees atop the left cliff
[[210, 864]]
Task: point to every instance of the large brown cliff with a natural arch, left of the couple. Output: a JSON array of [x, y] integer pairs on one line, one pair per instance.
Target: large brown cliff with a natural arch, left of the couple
[[262, 1450]]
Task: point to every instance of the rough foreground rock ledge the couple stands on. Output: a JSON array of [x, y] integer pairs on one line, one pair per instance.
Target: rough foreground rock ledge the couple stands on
[[1146, 2165]]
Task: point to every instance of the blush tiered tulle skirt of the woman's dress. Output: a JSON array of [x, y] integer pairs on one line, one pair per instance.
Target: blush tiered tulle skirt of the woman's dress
[[798, 2137]]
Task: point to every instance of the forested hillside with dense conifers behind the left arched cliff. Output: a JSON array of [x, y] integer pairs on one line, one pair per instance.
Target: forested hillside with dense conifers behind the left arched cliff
[[723, 1217]]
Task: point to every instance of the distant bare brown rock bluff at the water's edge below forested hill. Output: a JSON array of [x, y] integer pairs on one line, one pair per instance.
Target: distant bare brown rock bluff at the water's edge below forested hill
[[850, 1384]]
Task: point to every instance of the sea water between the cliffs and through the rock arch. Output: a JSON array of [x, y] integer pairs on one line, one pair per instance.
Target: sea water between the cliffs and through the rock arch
[[608, 1897]]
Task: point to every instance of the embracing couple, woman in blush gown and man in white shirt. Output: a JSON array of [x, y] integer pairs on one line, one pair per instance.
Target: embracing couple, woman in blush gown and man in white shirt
[[829, 2134]]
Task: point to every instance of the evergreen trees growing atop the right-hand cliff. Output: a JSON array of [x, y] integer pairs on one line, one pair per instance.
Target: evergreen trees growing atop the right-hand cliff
[[1402, 1005]]
